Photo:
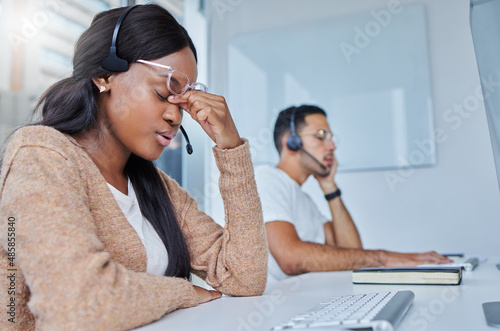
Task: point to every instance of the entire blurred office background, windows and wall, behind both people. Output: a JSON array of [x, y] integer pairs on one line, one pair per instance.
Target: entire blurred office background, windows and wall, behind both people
[[400, 84]]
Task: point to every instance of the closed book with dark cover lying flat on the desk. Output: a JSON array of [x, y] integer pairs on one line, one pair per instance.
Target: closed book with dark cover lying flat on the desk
[[411, 275]]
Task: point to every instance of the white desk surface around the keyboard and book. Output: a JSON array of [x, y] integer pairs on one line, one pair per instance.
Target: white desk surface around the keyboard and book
[[436, 308]]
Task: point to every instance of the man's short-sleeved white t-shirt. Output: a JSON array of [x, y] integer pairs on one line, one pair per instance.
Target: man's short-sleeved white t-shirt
[[282, 199]]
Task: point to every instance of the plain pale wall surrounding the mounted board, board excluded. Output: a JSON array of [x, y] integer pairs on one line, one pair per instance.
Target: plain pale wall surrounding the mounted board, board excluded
[[451, 207]]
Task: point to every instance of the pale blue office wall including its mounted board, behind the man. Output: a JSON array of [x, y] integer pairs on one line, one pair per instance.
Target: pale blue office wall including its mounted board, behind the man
[[400, 82]]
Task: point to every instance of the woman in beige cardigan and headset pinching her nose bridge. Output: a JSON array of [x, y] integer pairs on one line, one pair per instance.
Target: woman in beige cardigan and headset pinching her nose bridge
[[93, 236]]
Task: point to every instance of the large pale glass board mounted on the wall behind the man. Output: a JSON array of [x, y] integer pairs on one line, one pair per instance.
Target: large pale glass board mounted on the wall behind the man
[[368, 70]]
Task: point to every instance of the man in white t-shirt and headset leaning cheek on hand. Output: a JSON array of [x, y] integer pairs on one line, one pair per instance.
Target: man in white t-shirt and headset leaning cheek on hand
[[300, 238]]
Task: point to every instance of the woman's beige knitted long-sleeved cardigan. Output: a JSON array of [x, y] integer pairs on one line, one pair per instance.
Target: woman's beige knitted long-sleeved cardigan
[[79, 264]]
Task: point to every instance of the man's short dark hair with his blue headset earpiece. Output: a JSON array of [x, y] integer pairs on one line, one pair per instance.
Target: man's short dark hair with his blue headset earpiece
[[284, 124]]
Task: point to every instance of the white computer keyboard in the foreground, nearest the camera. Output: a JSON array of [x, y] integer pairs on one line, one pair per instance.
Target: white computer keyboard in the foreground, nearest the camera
[[379, 311]]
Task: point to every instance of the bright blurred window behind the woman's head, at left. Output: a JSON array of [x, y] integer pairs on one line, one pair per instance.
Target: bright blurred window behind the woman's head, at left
[[37, 43]]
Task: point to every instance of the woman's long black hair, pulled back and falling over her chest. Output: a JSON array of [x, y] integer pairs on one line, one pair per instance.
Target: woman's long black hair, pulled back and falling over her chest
[[147, 32]]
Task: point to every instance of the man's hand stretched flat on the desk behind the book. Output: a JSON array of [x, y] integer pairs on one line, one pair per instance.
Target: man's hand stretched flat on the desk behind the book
[[392, 259]]
